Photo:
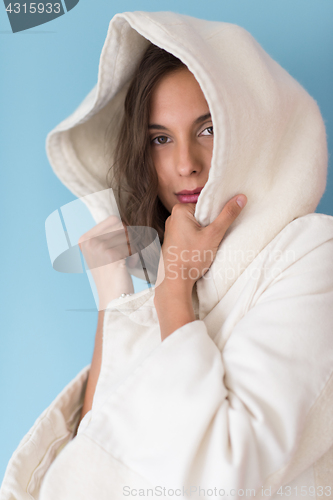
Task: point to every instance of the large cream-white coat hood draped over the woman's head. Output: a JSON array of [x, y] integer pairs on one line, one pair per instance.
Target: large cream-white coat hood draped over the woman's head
[[269, 136]]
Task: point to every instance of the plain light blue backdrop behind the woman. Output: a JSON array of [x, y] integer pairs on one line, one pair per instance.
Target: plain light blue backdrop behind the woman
[[45, 73]]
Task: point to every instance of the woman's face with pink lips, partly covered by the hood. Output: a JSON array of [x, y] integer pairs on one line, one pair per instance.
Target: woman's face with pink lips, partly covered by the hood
[[181, 137]]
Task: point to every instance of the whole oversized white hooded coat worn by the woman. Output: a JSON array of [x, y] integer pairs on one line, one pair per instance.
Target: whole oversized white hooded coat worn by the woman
[[242, 398]]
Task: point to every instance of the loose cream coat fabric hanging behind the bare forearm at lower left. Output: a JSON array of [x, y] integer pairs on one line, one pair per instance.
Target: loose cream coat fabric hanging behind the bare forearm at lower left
[[53, 429]]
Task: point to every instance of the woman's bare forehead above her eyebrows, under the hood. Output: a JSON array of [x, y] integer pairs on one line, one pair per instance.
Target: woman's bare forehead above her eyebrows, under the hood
[[179, 92]]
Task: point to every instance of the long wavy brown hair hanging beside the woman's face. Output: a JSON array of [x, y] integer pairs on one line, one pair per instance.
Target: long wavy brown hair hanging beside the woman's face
[[134, 179]]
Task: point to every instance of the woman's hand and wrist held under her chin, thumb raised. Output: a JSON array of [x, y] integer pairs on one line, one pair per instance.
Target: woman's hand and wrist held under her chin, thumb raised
[[188, 251]]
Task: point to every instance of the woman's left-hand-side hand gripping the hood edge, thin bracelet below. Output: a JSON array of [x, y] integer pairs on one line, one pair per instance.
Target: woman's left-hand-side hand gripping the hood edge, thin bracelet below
[[105, 248]]
